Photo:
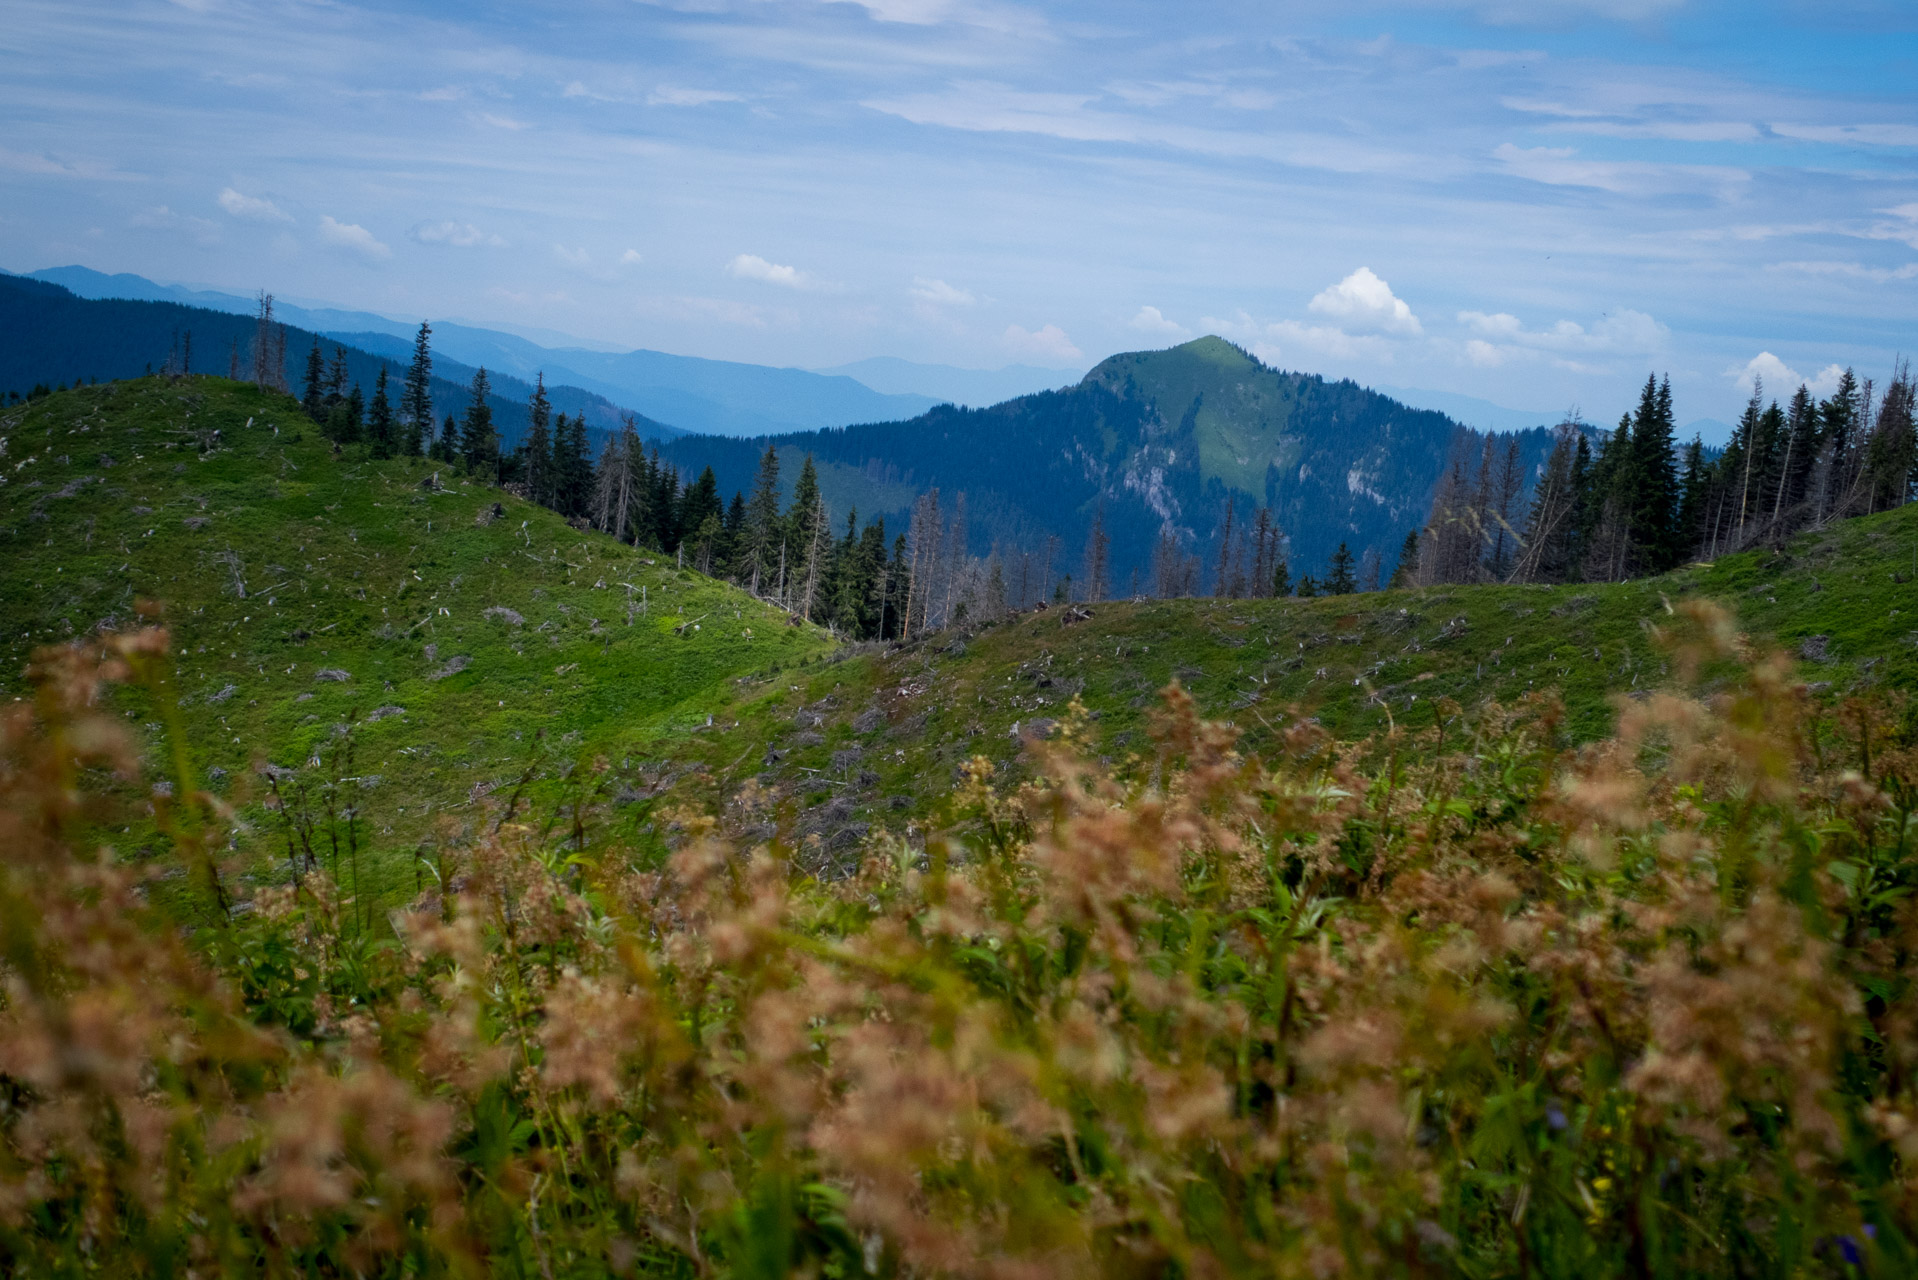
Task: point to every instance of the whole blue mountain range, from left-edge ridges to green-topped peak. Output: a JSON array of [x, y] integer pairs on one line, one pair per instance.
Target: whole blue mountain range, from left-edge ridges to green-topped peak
[[1142, 444]]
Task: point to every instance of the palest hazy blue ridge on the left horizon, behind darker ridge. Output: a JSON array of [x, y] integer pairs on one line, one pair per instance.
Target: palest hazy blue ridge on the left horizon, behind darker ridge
[[695, 394]]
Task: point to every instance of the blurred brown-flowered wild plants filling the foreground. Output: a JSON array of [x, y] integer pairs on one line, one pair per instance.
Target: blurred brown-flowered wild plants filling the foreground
[[1447, 1003]]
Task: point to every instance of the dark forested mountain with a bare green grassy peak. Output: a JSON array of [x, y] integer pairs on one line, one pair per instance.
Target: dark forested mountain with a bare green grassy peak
[[1148, 442]]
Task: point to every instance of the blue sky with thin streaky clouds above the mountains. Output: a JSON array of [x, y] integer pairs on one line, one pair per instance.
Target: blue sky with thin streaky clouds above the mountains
[[1535, 202]]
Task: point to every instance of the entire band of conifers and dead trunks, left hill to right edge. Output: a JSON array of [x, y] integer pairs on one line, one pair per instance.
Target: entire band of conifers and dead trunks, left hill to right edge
[[1606, 506]]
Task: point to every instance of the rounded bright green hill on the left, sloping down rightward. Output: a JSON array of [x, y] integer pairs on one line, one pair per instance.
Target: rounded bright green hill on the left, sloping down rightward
[[310, 592]]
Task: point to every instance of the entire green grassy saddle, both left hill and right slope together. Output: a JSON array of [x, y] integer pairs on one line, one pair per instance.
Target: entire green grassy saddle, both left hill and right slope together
[[310, 592]]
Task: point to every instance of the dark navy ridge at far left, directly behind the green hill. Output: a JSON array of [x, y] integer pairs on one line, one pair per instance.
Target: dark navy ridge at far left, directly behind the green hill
[[55, 337]]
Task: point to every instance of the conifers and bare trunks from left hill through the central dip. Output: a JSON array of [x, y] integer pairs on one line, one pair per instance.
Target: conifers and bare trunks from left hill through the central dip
[[849, 579]]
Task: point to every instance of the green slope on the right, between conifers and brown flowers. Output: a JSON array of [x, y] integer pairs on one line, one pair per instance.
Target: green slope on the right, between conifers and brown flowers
[[881, 740]]
